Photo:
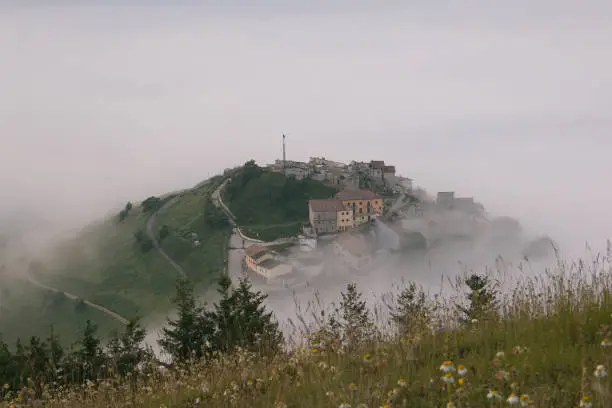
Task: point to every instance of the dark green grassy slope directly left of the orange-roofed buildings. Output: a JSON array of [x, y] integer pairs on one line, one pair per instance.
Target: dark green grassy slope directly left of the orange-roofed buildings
[[269, 205]]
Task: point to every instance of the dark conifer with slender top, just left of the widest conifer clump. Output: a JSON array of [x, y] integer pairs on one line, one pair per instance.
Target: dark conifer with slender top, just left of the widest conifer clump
[[186, 336]]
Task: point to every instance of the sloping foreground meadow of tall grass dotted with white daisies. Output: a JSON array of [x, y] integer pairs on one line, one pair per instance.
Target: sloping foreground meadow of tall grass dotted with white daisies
[[549, 347]]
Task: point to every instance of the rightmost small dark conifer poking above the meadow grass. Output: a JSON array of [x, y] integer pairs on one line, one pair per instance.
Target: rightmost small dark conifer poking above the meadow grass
[[482, 299]]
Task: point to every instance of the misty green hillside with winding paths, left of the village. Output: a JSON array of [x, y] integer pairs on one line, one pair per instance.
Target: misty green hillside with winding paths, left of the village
[[113, 263]]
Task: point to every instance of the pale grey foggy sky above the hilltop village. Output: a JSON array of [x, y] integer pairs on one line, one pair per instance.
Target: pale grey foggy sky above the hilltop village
[[507, 102]]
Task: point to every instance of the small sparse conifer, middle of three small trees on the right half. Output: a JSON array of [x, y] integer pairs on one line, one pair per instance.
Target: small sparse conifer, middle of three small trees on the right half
[[412, 312]]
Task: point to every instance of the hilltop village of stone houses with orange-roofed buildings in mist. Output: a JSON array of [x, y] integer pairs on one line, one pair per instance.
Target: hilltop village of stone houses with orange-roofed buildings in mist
[[374, 209]]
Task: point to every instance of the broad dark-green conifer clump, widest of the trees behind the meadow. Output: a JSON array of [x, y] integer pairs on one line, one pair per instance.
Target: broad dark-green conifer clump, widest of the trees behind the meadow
[[241, 319]]
